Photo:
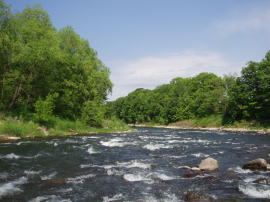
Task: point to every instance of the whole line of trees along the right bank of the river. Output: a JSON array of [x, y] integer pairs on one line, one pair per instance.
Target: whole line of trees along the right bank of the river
[[233, 98]]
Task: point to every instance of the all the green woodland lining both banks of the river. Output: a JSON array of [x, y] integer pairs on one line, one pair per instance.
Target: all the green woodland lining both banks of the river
[[48, 74]]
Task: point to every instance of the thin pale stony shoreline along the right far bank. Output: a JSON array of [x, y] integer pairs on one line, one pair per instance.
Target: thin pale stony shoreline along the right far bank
[[239, 130]]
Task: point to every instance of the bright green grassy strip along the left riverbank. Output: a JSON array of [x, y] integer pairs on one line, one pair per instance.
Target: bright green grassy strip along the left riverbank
[[24, 129]]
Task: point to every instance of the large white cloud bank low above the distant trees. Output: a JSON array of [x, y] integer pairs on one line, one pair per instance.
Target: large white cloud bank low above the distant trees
[[149, 72]]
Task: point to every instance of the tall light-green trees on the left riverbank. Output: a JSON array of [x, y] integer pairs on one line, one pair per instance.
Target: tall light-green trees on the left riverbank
[[45, 72]]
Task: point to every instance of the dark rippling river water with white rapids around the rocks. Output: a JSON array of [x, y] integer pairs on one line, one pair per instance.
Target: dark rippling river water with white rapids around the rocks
[[139, 166]]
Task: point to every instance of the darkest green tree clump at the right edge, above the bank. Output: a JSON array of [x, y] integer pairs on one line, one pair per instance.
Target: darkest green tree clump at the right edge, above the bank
[[249, 97]]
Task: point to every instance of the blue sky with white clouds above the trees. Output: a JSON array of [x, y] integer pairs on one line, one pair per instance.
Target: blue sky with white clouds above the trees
[[146, 43]]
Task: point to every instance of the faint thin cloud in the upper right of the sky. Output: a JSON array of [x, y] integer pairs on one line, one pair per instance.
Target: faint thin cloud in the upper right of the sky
[[249, 20]]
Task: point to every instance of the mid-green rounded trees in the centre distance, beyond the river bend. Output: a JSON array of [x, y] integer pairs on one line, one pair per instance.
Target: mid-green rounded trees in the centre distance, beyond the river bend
[[182, 99]]
